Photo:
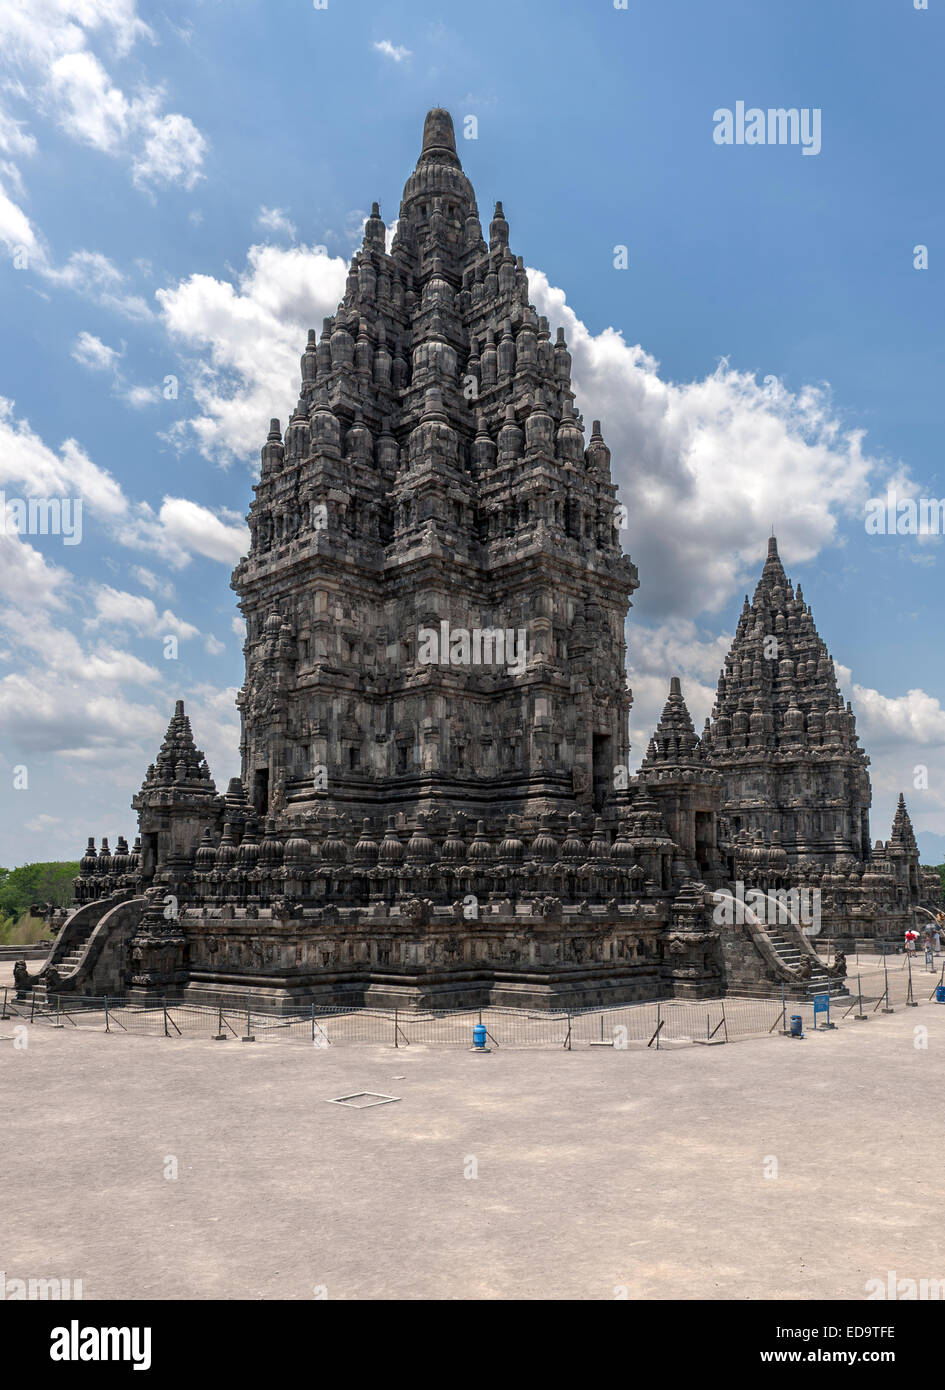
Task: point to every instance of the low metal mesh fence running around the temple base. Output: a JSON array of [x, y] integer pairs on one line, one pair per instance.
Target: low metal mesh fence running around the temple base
[[891, 985]]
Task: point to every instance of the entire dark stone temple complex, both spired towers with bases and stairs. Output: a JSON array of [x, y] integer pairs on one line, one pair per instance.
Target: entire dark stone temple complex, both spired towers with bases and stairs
[[436, 806]]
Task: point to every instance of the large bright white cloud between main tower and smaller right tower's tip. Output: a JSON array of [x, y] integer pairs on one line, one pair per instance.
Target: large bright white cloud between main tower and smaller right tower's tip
[[707, 466]]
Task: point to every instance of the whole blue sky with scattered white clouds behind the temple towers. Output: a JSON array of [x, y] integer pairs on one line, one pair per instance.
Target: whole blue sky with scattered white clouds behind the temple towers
[[181, 187]]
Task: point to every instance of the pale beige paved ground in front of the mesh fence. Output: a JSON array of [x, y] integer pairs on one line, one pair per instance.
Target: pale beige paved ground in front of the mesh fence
[[598, 1171]]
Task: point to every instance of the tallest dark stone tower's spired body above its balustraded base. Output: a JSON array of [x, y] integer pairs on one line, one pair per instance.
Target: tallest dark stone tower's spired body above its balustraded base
[[436, 593]]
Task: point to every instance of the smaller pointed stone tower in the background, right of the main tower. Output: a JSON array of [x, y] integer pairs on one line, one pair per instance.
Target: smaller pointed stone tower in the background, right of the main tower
[[782, 736]]
